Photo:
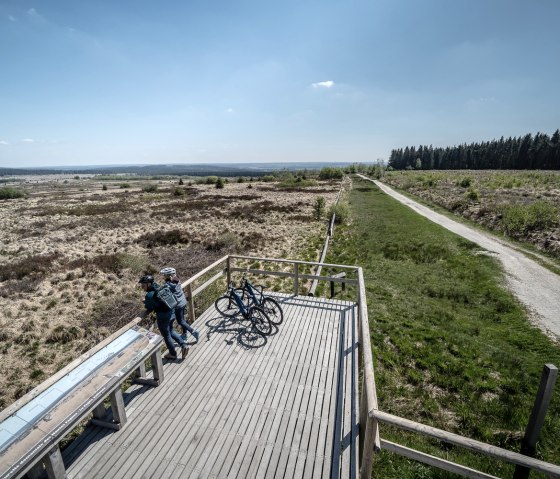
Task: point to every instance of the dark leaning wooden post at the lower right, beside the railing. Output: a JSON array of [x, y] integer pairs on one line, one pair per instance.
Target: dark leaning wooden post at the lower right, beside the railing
[[542, 401]]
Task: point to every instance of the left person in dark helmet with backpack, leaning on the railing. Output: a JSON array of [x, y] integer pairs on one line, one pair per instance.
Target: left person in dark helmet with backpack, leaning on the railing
[[164, 317]]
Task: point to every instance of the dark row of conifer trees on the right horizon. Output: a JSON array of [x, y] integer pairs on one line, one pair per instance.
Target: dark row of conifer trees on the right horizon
[[539, 152]]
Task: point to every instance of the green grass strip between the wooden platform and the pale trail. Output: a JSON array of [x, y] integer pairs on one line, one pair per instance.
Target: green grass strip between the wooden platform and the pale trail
[[452, 348]]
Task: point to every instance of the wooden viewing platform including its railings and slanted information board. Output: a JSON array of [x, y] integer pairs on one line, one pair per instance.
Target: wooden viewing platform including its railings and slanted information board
[[303, 403]]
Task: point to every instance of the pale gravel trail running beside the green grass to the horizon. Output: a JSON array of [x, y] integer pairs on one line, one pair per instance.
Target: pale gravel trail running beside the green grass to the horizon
[[535, 286]]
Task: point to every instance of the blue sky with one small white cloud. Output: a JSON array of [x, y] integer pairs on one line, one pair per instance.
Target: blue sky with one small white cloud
[[99, 82]]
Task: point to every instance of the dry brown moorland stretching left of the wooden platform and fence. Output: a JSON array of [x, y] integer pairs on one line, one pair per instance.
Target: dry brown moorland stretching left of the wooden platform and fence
[[72, 251]]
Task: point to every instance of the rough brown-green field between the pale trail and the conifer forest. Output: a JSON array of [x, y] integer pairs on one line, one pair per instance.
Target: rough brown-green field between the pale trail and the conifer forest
[[524, 205]]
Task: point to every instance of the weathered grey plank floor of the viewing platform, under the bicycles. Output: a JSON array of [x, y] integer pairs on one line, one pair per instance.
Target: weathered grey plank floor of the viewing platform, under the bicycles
[[286, 408]]
